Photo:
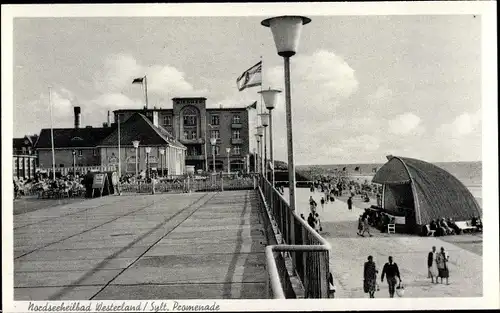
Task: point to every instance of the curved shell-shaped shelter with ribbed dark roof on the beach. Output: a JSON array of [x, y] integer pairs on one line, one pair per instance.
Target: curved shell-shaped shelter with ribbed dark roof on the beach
[[435, 192]]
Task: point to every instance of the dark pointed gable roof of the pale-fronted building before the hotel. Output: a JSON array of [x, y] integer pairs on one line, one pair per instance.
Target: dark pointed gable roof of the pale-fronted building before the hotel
[[139, 127]]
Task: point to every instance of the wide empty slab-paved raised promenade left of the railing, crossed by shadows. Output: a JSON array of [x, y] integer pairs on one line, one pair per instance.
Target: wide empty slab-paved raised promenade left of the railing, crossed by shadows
[[185, 246]]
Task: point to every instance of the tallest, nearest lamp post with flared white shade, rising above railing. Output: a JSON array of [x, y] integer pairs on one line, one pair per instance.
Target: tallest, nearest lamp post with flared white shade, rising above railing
[[286, 33]]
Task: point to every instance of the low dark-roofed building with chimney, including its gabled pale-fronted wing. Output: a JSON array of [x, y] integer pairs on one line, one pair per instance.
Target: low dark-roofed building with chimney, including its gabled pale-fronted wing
[[96, 148]]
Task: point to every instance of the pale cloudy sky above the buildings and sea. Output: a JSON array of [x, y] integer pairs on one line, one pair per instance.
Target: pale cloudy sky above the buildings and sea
[[362, 86]]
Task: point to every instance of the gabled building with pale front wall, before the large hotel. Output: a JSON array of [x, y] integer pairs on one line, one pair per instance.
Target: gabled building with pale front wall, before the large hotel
[[166, 155]]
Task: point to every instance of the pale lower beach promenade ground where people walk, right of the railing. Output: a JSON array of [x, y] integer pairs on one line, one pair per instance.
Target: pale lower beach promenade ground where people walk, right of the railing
[[349, 252]]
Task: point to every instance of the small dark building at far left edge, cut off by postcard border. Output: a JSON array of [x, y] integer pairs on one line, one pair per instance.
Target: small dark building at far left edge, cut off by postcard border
[[24, 157]]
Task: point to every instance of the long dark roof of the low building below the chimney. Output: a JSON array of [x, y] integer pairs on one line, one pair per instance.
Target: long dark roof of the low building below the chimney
[[73, 137]]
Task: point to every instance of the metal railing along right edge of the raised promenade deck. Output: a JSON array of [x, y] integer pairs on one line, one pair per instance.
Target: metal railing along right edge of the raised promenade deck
[[309, 252]]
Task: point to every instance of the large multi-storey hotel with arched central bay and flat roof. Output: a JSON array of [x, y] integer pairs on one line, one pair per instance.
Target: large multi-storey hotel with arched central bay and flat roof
[[193, 124]]
